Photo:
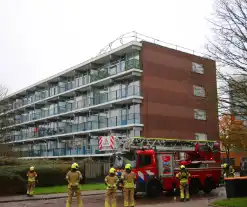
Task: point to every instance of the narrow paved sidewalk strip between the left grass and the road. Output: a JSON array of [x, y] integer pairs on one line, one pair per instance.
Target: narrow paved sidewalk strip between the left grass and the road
[[18, 198]]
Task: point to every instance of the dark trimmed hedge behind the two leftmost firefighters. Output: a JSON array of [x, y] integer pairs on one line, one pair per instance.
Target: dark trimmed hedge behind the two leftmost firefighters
[[13, 178]]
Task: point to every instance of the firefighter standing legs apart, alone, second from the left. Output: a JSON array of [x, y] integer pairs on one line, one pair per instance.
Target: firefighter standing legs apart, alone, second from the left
[[73, 177]]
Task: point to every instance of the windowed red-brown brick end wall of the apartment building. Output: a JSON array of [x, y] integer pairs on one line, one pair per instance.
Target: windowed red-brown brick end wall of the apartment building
[[169, 101]]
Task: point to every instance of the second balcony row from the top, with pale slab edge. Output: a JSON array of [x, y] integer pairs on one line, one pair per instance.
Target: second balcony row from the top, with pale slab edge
[[66, 108]]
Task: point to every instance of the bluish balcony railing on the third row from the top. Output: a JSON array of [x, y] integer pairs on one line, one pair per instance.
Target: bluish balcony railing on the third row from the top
[[100, 123]]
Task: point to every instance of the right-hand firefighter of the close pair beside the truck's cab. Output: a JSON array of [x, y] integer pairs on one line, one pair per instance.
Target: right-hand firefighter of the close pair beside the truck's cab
[[129, 179]]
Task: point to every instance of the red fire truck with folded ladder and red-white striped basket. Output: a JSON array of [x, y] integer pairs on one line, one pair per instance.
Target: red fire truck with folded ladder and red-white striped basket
[[155, 161]]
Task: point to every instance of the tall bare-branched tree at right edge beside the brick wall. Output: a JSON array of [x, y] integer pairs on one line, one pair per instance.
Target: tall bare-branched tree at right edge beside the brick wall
[[229, 48]]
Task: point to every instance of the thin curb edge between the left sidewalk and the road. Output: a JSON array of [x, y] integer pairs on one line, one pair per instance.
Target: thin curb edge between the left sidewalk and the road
[[45, 198]]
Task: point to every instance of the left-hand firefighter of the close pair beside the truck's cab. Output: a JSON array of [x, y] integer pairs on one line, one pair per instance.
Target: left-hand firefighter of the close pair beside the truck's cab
[[111, 181]]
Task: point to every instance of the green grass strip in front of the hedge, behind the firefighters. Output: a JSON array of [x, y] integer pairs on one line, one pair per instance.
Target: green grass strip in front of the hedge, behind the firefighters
[[64, 188]]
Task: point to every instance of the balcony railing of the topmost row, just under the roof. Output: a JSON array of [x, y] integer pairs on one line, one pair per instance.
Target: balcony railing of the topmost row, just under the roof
[[65, 86]]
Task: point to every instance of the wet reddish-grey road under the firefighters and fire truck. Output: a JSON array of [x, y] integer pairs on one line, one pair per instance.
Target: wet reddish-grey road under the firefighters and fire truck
[[98, 201]]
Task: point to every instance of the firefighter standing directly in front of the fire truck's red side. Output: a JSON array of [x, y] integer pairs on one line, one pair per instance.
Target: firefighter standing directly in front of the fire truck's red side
[[183, 177]]
